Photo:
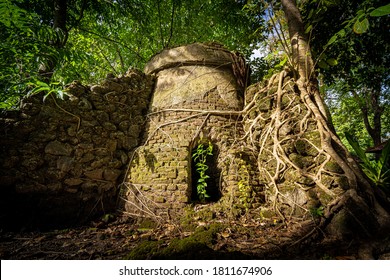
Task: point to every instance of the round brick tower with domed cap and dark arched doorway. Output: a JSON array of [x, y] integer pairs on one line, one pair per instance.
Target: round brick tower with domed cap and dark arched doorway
[[195, 108]]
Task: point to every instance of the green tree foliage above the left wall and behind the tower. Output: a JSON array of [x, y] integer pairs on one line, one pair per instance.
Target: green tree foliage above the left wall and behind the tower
[[98, 37]]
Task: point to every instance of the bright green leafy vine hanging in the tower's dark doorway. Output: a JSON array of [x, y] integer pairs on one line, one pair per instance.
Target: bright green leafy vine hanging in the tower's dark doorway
[[199, 157]]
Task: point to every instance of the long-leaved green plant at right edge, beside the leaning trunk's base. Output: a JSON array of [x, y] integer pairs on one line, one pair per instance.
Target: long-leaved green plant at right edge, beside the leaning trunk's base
[[377, 171]]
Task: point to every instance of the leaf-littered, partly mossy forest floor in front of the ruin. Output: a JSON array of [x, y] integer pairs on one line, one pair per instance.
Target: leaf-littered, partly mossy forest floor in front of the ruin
[[120, 238]]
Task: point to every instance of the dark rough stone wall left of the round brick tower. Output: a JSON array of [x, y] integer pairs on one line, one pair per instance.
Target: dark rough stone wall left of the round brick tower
[[62, 160]]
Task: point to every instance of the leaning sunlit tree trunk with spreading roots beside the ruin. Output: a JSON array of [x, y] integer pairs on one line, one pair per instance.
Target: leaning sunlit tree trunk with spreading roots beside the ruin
[[360, 195]]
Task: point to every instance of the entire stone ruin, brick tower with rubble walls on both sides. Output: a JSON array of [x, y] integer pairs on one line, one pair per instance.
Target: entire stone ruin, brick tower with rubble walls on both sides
[[129, 142]]
